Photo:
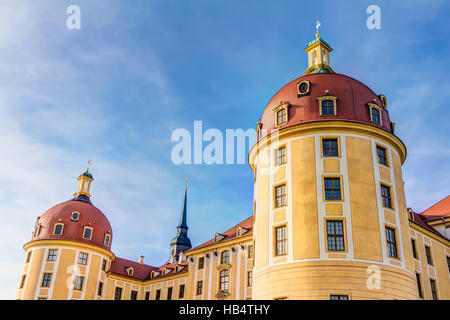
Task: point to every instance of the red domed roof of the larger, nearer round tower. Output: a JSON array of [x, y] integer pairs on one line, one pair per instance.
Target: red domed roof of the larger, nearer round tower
[[352, 98]]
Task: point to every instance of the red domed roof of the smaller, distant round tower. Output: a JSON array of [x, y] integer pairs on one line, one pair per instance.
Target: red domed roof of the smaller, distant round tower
[[89, 216]]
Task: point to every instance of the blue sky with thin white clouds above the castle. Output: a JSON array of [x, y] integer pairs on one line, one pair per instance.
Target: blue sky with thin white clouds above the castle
[[117, 88]]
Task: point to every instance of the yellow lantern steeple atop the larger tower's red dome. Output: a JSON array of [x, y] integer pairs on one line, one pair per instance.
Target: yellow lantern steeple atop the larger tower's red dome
[[318, 54]]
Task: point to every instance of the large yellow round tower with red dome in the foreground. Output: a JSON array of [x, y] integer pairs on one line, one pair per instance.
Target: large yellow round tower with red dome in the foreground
[[330, 219]]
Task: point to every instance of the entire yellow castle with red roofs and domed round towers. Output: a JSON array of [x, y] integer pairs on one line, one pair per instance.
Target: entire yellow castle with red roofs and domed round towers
[[329, 220]]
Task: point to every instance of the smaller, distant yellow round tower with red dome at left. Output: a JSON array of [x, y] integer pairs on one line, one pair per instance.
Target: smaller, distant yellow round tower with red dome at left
[[69, 252]]
